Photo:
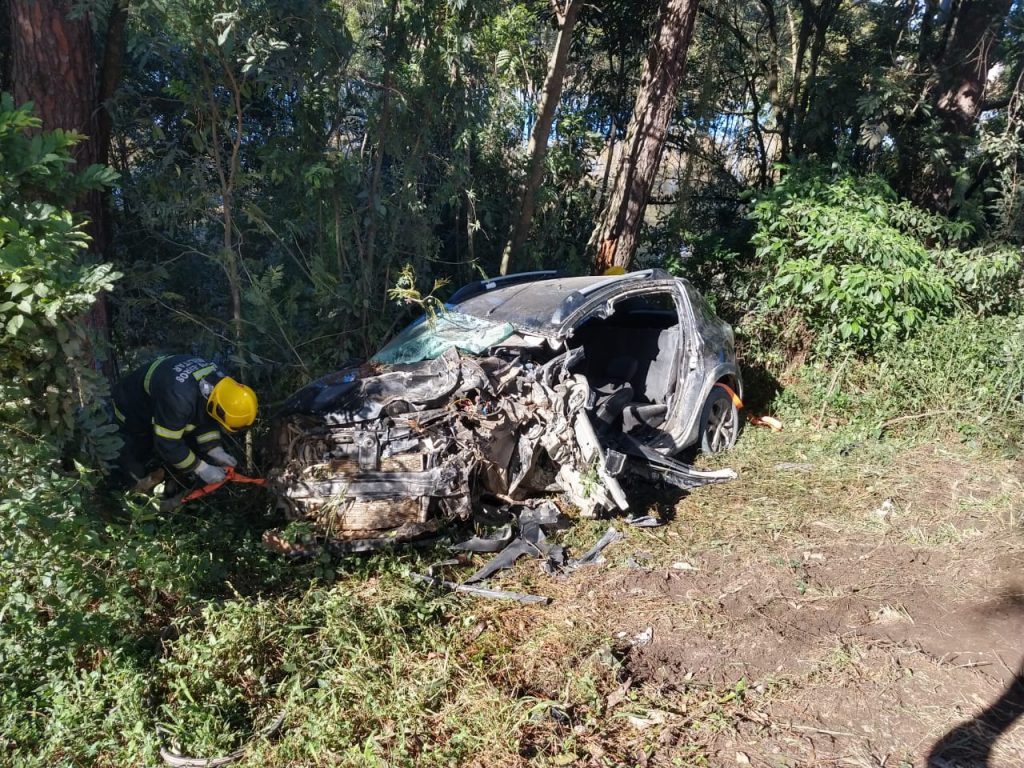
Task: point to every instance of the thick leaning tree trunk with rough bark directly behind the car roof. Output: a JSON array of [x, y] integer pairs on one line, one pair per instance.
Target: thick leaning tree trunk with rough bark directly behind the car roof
[[642, 156]]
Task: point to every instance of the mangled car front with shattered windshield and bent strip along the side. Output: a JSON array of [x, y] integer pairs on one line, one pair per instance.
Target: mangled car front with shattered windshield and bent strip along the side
[[457, 412]]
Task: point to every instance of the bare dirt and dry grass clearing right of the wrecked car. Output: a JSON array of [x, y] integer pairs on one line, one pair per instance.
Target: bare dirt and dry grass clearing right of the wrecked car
[[864, 611]]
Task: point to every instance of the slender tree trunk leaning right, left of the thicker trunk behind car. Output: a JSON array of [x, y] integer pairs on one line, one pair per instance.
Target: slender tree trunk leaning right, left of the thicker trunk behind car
[[538, 148]]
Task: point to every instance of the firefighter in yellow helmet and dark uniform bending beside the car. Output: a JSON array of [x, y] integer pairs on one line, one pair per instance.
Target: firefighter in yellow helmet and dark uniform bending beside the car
[[173, 411]]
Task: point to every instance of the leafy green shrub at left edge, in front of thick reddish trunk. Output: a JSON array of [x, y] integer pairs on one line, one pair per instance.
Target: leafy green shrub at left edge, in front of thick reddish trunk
[[46, 285]]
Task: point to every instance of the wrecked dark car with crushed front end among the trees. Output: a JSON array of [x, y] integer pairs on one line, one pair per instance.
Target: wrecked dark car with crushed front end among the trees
[[523, 388]]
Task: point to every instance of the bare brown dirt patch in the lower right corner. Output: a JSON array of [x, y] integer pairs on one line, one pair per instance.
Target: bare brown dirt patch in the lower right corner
[[860, 654]]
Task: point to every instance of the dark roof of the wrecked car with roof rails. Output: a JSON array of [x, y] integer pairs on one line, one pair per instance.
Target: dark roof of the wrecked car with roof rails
[[542, 306]]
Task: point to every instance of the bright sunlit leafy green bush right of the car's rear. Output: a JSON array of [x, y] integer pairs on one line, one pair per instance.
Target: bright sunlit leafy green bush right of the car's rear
[[856, 267]]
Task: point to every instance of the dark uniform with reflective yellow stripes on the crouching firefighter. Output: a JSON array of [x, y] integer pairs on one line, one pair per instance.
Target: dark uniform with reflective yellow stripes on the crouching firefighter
[[161, 409]]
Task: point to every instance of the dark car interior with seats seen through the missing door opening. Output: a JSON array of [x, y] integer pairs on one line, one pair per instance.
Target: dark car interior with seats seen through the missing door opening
[[632, 361]]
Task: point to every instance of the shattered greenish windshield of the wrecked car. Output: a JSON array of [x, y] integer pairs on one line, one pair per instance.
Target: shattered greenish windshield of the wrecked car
[[429, 339]]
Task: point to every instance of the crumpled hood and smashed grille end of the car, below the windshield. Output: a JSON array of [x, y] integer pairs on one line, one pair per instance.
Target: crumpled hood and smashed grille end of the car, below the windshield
[[371, 449]]
